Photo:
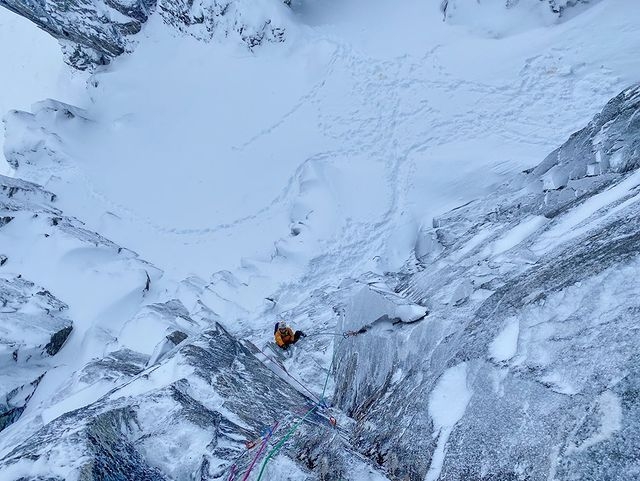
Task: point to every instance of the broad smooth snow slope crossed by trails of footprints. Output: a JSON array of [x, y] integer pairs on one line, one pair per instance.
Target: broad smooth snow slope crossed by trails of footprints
[[326, 115]]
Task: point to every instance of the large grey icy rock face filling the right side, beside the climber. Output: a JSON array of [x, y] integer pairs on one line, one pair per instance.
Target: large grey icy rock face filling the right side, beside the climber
[[528, 376]]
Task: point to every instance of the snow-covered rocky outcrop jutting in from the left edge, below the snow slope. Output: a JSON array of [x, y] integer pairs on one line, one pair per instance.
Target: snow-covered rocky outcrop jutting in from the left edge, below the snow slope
[[40, 247]]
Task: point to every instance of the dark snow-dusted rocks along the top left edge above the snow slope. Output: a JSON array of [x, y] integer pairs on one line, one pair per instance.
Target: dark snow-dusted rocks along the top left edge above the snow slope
[[93, 32]]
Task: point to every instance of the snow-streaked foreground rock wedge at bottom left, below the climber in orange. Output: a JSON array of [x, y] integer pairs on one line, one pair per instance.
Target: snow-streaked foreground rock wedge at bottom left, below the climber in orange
[[186, 418]]
